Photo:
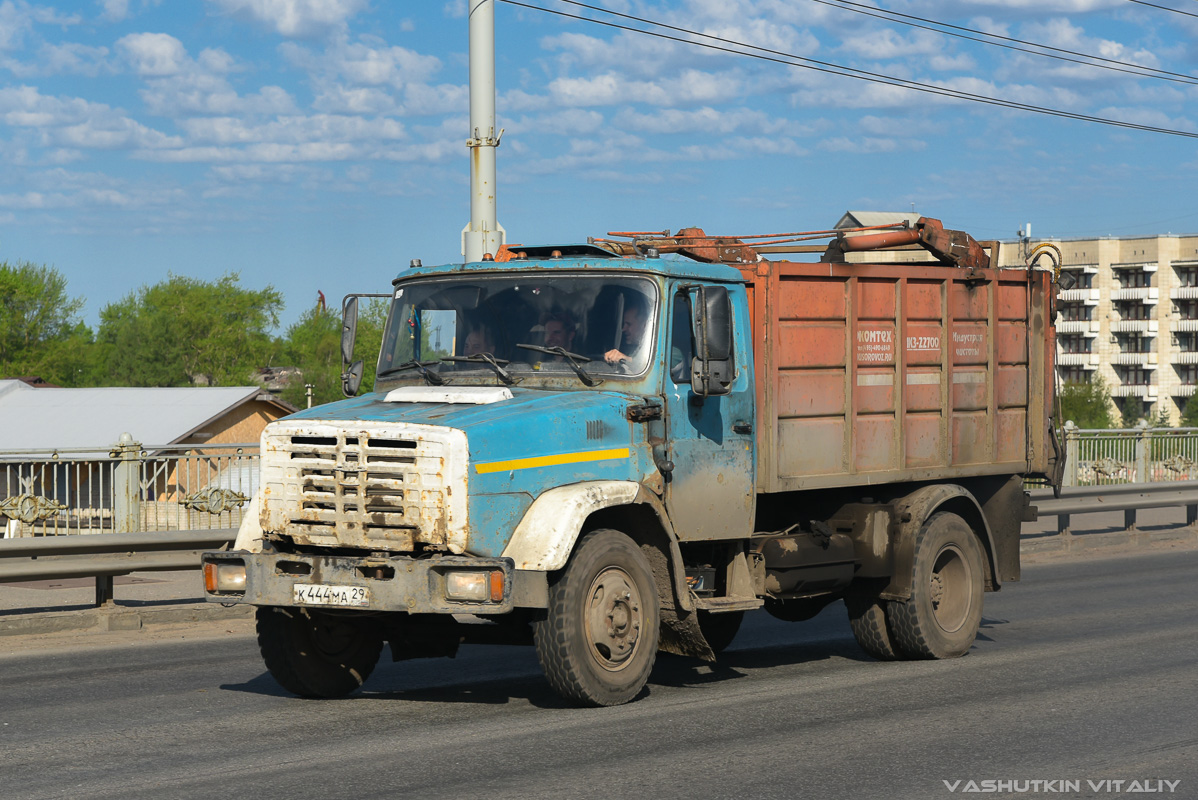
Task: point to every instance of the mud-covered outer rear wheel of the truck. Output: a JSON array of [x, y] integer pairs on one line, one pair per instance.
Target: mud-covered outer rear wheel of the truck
[[941, 620]]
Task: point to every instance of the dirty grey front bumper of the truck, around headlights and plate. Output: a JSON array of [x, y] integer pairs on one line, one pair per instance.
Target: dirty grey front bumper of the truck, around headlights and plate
[[394, 584]]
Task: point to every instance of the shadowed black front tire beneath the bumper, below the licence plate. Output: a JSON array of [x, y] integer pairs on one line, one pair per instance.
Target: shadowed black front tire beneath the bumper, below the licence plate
[[317, 654]]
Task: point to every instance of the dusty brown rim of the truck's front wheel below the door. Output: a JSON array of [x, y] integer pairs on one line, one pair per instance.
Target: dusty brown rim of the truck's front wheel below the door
[[614, 619]]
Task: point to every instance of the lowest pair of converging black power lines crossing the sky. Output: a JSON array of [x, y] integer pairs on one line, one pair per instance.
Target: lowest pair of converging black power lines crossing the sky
[[803, 63]]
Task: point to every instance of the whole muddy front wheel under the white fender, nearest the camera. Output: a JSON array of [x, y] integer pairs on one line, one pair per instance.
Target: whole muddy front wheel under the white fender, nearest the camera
[[600, 638]]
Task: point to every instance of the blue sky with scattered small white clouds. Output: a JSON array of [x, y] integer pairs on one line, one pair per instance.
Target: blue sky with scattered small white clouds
[[320, 144]]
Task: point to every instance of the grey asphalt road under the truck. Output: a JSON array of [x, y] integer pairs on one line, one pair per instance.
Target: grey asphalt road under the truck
[[1086, 671]]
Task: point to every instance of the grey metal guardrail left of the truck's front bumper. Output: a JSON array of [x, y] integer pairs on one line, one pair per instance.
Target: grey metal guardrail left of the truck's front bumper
[[106, 556]]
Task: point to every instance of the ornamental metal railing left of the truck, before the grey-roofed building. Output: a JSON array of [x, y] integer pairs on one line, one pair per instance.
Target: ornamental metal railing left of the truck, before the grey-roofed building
[[126, 488]]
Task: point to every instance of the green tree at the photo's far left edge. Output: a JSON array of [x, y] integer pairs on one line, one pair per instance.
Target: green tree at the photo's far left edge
[[40, 329]]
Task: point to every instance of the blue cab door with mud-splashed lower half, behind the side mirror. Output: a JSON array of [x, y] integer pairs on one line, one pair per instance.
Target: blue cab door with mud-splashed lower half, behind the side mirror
[[711, 490]]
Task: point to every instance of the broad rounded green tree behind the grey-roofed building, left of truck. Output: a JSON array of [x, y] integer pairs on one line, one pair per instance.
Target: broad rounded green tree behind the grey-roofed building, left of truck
[[186, 332]]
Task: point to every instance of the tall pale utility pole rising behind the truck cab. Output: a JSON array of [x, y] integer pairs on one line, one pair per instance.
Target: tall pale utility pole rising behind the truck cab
[[483, 235]]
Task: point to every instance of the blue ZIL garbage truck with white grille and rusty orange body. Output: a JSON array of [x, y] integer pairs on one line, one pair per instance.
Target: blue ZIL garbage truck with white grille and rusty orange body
[[620, 447]]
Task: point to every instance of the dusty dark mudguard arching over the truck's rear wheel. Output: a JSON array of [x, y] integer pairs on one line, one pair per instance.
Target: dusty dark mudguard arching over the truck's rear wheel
[[913, 511]]
